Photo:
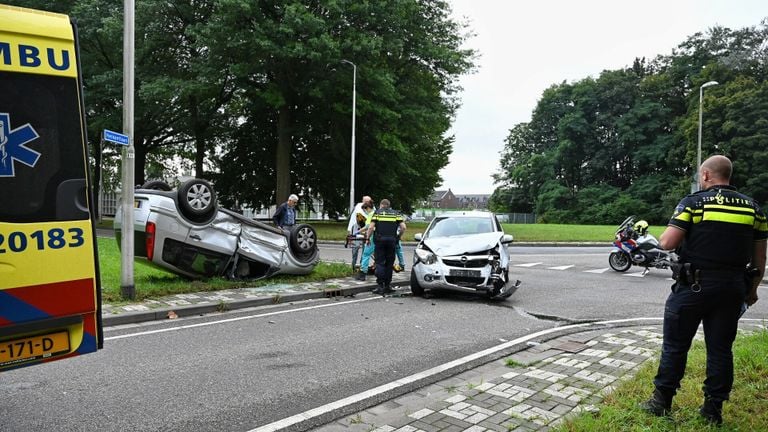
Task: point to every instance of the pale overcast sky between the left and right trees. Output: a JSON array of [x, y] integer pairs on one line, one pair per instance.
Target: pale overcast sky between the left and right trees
[[528, 45]]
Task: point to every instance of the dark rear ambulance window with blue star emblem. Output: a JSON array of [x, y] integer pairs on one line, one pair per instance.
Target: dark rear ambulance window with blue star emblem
[[49, 107]]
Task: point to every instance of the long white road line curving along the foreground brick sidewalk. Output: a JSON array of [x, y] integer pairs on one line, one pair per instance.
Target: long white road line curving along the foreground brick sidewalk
[[315, 412]]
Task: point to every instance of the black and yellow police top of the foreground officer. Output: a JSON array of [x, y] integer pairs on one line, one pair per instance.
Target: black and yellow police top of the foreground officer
[[721, 227]]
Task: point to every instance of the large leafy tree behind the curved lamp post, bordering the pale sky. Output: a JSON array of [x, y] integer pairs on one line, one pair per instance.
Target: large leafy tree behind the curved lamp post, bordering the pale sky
[[294, 98]]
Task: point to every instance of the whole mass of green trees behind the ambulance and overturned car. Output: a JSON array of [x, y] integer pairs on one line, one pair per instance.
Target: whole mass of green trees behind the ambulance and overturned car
[[253, 94]]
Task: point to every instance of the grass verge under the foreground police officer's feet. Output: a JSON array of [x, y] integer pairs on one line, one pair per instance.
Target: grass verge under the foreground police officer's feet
[[746, 411]]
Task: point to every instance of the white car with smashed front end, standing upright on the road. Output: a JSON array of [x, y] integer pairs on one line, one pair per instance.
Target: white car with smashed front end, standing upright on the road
[[465, 252]]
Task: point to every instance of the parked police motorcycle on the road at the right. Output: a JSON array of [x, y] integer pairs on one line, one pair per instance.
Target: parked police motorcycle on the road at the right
[[634, 245]]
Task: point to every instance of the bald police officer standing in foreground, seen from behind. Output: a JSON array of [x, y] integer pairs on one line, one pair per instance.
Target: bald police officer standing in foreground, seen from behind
[[719, 232]]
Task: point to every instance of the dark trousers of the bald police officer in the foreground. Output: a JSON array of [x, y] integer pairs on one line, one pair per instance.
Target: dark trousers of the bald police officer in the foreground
[[715, 302]]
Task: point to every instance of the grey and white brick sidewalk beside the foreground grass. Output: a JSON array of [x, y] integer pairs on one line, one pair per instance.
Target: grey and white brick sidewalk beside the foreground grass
[[531, 390]]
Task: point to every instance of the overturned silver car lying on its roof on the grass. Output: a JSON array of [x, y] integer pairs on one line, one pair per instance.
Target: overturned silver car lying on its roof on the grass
[[184, 231]]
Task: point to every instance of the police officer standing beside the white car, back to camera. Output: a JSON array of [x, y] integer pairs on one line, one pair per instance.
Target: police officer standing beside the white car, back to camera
[[385, 223]]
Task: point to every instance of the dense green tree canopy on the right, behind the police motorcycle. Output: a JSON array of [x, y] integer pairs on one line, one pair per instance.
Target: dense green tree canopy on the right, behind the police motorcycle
[[599, 149]]
